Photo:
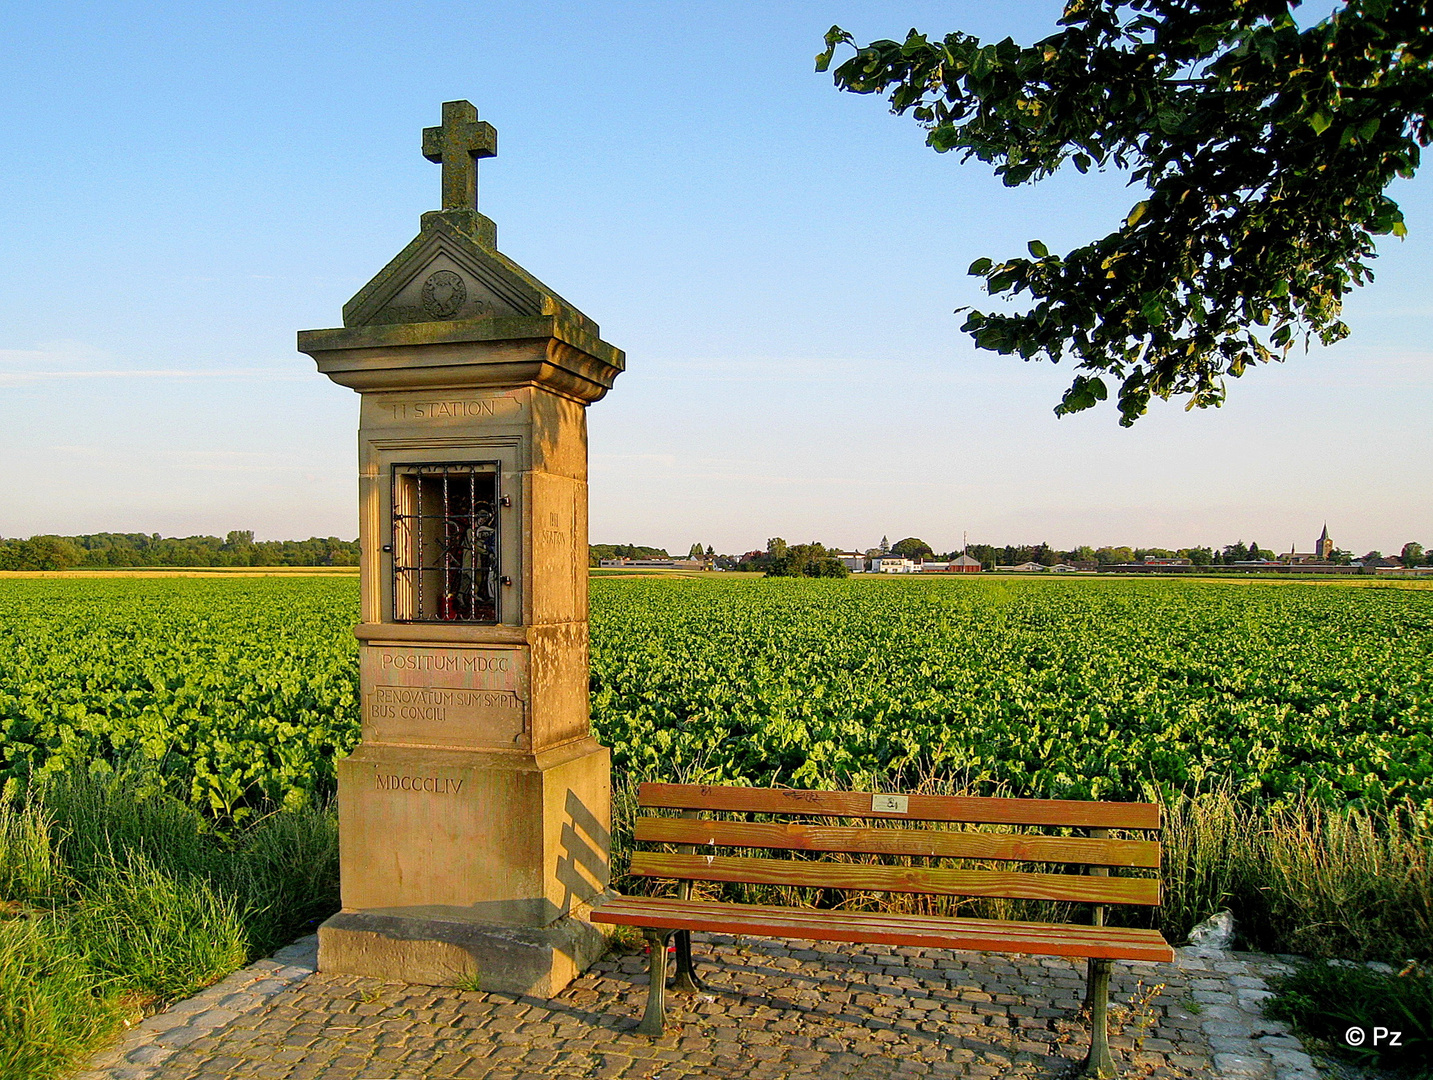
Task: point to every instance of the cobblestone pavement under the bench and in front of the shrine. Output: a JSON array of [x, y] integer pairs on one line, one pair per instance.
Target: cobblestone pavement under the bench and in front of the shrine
[[772, 1009]]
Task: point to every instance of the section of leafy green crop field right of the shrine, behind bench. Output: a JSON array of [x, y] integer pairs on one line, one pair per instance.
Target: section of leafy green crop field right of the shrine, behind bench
[[1060, 688]]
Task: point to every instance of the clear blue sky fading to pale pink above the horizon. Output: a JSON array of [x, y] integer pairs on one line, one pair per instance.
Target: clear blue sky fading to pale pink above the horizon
[[187, 185]]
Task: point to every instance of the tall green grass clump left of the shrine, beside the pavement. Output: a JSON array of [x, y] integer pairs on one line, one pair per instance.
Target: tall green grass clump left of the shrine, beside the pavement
[[117, 897]]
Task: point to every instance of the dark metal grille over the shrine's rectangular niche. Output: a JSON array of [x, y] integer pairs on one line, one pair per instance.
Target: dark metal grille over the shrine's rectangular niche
[[445, 544]]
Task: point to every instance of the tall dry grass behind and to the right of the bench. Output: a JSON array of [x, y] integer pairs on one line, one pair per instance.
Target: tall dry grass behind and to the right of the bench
[[1305, 879]]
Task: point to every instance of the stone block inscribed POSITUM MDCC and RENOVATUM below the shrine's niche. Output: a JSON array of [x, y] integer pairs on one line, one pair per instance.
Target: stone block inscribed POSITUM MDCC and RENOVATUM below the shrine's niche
[[446, 697]]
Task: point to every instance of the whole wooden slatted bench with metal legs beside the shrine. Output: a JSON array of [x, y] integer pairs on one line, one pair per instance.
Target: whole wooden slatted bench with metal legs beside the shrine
[[699, 839]]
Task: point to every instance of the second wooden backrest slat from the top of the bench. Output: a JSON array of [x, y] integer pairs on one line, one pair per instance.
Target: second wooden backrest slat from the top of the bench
[[891, 842]]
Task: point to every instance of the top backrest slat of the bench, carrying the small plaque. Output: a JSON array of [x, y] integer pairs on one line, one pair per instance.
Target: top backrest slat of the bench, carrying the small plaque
[[848, 804]]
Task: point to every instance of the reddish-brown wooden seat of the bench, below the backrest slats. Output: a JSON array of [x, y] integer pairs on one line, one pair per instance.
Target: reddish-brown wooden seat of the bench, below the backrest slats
[[1037, 939]]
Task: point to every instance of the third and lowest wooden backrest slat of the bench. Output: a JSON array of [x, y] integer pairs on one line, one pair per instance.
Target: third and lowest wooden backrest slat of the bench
[[1080, 889]]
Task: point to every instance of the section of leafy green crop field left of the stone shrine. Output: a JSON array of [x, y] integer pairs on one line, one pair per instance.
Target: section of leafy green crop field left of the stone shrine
[[244, 688]]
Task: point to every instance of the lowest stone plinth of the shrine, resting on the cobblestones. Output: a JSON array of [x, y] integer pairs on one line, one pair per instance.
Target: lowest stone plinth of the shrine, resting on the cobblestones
[[438, 952]]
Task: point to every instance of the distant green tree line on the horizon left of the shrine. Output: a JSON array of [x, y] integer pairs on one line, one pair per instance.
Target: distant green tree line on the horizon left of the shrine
[[140, 549]]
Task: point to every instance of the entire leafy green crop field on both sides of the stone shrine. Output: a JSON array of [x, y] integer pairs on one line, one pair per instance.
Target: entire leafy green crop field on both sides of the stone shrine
[[247, 690]]
